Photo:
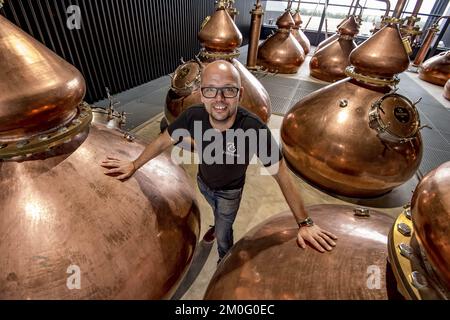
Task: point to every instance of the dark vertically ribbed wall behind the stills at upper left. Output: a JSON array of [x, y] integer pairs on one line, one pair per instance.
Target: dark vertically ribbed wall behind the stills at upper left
[[121, 43]]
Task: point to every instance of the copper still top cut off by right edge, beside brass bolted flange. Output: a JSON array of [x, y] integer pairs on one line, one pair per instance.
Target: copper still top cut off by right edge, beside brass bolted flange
[[430, 208]]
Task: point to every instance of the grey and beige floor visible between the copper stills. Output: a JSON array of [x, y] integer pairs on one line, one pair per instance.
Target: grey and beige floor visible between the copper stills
[[262, 197]]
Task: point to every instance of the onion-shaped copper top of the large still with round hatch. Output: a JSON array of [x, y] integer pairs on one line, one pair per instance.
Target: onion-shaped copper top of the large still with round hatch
[[382, 55]]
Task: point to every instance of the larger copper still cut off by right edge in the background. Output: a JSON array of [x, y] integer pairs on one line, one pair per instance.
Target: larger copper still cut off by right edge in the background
[[436, 70]]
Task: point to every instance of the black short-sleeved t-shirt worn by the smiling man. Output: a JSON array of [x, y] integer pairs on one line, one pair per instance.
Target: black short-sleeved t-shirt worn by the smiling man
[[225, 156]]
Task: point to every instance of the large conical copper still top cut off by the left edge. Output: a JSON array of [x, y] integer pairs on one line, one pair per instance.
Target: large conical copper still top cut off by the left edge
[[39, 90]]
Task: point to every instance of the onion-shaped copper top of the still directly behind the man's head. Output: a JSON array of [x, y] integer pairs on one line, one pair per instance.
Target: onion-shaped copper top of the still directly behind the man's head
[[220, 33]]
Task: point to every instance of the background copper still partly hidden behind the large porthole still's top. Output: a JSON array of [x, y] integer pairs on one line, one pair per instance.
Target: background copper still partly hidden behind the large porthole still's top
[[329, 63]]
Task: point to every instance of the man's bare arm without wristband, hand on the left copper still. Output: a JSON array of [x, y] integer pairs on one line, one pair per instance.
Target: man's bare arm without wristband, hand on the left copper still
[[126, 168]]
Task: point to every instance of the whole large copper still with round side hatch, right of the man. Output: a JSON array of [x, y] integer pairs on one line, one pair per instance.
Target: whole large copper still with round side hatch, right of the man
[[357, 137]]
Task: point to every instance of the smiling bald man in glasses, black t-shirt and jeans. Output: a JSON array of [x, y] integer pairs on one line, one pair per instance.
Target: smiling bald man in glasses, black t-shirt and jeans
[[227, 137]]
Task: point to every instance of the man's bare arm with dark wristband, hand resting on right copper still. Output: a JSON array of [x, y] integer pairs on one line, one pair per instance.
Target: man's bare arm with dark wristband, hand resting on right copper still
[[321, 239]]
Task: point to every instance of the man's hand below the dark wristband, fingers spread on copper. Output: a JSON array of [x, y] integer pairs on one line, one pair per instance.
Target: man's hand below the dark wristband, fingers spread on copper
[[320, 239]]
